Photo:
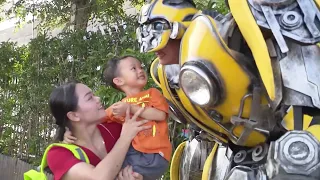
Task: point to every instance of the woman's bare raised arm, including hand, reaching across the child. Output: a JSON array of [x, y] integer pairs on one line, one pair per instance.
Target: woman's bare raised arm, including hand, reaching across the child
[[109, 166]]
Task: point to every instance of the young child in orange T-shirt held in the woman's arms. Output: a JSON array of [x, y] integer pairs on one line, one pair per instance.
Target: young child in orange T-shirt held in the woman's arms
[[151, 149]]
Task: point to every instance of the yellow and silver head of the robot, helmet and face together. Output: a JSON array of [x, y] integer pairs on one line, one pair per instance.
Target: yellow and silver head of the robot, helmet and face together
[[157, 19]]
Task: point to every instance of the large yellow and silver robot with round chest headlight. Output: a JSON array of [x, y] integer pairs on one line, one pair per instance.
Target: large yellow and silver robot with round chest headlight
[[247, 84]]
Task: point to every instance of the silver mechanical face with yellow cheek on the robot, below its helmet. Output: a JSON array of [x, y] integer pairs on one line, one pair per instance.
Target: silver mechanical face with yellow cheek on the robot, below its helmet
[[154, 35]]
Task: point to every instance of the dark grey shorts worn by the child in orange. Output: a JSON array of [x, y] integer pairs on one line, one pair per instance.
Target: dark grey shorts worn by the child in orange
[[151, 166]]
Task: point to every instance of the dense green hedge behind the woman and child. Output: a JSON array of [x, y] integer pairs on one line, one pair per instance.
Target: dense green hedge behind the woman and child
[[29, 73]]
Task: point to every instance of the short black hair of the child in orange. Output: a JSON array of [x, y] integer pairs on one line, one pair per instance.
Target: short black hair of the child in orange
[[111, 70]]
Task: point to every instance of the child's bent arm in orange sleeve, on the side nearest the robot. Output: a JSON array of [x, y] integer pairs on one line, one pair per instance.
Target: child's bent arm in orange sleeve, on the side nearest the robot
[[157, 107]]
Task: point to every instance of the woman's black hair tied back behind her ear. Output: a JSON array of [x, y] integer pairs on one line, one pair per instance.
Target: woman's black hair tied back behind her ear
[[63, 99]]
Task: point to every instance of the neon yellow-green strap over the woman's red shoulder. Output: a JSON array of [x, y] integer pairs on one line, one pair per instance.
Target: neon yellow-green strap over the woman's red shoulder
[[40, 175]]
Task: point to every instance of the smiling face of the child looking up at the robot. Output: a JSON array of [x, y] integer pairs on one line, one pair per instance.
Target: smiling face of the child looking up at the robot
[[132, 73]]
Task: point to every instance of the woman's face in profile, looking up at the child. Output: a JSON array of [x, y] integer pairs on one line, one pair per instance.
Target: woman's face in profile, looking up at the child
[[89, 108]]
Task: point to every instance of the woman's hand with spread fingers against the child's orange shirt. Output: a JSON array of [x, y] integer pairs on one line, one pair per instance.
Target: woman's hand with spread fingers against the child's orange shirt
[[131, 127]]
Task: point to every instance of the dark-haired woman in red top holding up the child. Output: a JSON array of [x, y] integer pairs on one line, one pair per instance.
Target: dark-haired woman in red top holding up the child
[[74, 106]]
